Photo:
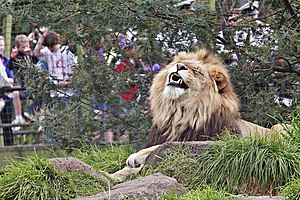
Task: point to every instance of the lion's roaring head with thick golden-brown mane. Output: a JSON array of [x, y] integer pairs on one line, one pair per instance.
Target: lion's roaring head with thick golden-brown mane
[[192, 98]]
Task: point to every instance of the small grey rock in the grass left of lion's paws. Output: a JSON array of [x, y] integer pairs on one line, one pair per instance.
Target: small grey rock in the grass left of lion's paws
[[73, 164]]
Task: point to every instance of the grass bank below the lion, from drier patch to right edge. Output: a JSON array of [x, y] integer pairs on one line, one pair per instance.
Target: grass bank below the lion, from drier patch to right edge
[[252, 166]]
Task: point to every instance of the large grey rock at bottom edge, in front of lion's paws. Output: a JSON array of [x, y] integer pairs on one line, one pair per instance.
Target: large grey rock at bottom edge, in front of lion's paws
[[148, 187]]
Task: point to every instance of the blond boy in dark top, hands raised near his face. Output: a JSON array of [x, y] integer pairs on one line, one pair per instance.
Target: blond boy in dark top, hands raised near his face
[[20, 56]]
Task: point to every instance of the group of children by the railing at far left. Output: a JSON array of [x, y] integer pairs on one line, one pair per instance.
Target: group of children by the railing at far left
[[59, 62]]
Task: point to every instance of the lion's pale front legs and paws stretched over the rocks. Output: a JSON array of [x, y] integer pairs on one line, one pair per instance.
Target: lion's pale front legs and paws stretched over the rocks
[[135, 163]]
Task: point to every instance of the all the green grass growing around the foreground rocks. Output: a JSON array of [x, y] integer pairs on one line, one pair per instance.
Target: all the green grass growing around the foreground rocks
[[255, 166]]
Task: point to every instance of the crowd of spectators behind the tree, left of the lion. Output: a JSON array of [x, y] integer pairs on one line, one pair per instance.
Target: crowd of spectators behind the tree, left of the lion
[[49, 54]]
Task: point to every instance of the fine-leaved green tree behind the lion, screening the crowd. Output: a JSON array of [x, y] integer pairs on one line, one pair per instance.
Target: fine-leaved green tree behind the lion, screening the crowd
[[83, 24]]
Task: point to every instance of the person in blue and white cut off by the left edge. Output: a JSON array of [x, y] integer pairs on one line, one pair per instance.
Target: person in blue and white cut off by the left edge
[[7, 109]]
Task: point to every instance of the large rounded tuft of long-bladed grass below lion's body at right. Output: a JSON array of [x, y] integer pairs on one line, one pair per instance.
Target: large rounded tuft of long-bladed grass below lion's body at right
[[250, 165]]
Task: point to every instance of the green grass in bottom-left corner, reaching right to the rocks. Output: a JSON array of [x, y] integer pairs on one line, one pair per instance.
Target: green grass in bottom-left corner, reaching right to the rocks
[[36, 178]]
